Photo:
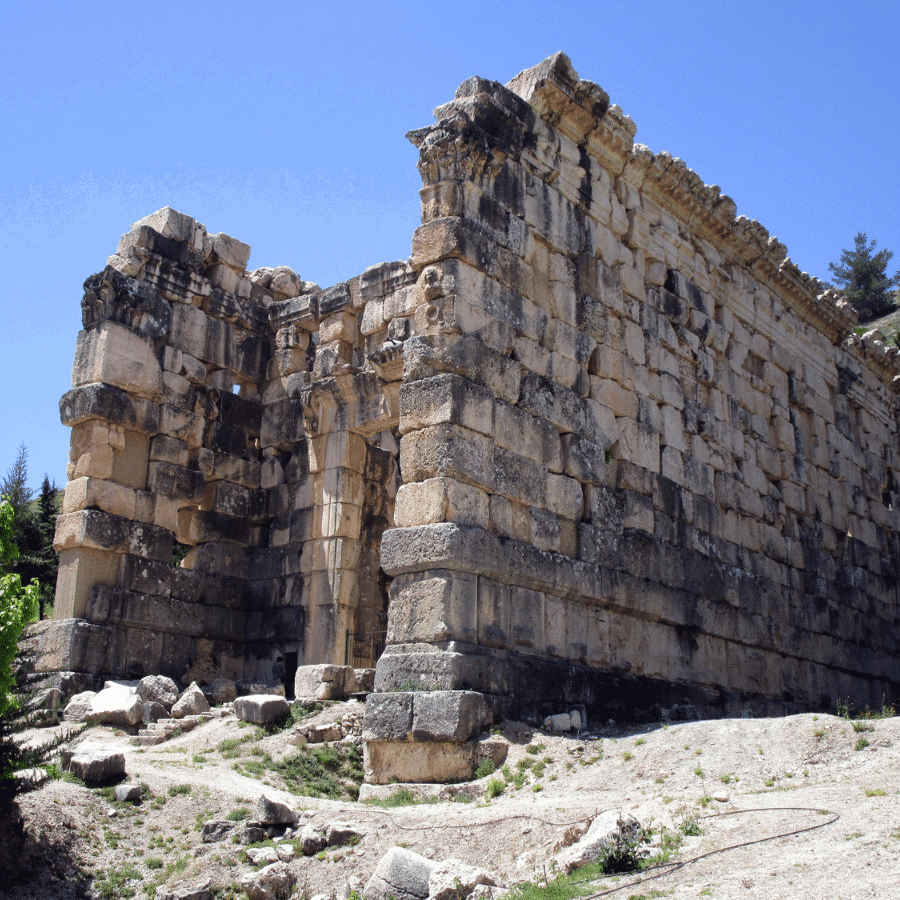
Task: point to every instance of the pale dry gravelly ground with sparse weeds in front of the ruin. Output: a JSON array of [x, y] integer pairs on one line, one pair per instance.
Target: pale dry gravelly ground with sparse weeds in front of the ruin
[[805, 806]]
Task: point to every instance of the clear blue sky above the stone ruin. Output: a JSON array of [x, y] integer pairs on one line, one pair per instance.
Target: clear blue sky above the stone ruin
[[283, 125]]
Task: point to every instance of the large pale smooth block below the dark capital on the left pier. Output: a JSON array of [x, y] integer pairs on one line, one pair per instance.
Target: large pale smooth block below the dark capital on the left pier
[[113, 354]]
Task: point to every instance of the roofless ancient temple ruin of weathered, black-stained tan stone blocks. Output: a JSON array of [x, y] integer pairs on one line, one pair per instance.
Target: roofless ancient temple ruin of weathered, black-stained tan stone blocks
[[597, 444]]
